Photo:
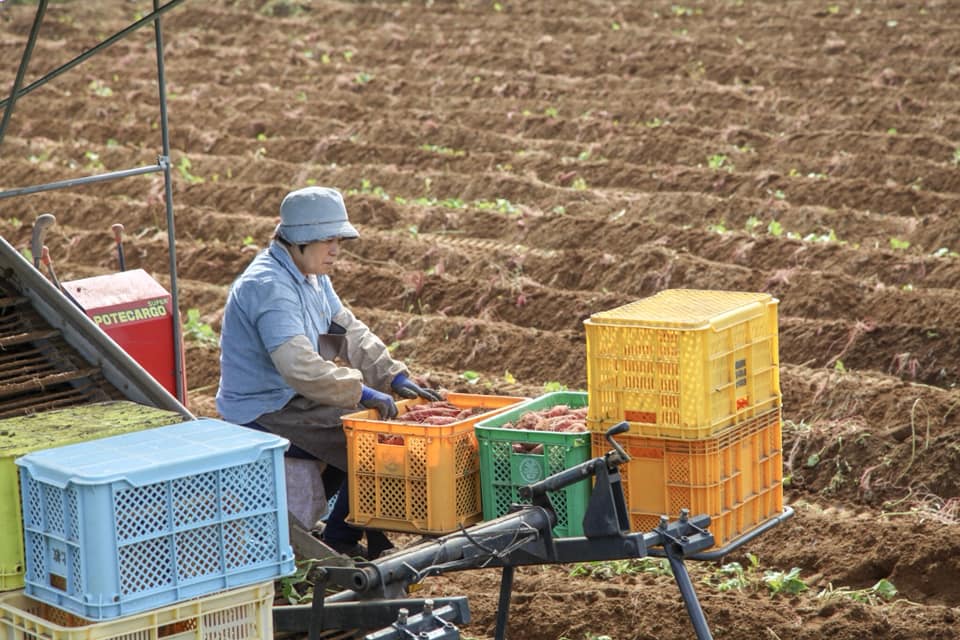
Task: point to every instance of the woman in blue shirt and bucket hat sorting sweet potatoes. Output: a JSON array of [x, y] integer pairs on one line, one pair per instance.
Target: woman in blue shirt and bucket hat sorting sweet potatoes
[[285, 334]]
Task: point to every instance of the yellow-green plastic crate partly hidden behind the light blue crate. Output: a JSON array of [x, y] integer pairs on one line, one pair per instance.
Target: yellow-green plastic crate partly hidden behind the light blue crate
[[24, 434]]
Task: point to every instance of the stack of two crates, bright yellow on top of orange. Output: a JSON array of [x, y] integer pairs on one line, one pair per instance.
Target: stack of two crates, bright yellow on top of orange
[[696, 374]]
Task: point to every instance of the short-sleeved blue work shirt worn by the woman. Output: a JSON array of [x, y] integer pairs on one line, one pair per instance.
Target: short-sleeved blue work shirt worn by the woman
[[269, 304]]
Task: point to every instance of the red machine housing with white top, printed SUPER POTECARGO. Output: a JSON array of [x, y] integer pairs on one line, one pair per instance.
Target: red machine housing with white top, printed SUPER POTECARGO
[[136, 311]]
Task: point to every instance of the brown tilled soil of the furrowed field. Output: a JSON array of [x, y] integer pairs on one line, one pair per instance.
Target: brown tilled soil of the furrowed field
[[514, 167]]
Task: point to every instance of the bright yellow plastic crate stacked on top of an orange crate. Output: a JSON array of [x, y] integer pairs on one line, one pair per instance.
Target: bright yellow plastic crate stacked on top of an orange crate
[[683, 363]]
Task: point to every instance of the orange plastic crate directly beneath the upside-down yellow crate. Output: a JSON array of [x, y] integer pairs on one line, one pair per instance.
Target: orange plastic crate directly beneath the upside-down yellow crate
[[735, 477]]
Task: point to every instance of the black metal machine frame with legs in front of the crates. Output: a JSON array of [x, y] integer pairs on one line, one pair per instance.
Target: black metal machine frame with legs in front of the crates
[[373, 594]]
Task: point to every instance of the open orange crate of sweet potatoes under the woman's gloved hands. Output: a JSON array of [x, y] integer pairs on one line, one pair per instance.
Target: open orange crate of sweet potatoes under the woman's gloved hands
[[417, 478]]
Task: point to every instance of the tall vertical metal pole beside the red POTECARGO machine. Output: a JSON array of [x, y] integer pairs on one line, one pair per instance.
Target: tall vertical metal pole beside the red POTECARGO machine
[[168, 198]]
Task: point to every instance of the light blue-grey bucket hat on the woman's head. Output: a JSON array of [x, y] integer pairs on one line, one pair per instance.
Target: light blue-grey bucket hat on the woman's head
[[314, 213]]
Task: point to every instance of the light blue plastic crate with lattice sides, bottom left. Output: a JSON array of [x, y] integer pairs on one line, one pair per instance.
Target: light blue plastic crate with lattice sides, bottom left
[[138, 521]]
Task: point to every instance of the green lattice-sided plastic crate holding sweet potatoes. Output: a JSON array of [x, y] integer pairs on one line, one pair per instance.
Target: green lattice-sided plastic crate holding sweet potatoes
[[503, 470]]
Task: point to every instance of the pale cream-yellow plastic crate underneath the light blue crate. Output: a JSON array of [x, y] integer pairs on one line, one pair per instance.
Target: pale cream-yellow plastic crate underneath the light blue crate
[[239, 614]]
